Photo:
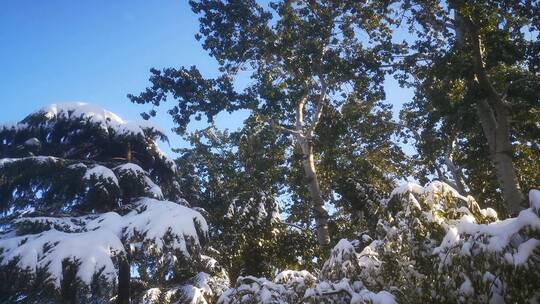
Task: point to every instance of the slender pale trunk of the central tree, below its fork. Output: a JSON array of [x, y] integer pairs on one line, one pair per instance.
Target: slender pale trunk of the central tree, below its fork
[[321, 215]]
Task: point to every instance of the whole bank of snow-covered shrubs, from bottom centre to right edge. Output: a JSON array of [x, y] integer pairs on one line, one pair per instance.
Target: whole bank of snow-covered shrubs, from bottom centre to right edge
[[431, 245]]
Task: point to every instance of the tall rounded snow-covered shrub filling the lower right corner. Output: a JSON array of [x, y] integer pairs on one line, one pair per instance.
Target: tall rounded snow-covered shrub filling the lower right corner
[[434, 244]]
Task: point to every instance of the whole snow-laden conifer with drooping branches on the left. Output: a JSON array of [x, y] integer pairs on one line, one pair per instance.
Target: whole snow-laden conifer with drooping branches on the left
[[91, 212]]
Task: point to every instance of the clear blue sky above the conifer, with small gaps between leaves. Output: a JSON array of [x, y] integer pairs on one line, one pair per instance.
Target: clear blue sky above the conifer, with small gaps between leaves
[[97, 52]]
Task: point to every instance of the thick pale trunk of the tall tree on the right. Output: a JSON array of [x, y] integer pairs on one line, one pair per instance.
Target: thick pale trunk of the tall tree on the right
[[494, 115]]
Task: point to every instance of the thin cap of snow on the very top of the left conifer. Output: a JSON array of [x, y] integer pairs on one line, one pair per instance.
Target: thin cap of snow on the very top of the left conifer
[[97, 115]]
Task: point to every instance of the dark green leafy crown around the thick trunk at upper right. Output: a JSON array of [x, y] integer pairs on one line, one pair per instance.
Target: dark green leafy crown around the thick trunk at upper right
[[441, 67]]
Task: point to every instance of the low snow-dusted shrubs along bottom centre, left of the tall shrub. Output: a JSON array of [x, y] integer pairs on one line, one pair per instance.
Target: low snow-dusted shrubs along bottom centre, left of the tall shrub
[[335, 284]]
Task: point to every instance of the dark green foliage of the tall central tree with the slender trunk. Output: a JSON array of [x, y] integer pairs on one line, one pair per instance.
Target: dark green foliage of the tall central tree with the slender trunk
[[290, 51]]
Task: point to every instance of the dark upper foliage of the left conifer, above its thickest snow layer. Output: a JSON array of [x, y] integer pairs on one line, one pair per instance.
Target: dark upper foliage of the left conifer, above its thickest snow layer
[[52, 155]]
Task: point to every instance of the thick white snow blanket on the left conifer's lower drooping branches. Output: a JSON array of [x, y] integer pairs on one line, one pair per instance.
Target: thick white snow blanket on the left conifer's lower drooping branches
[[95, 240]]
